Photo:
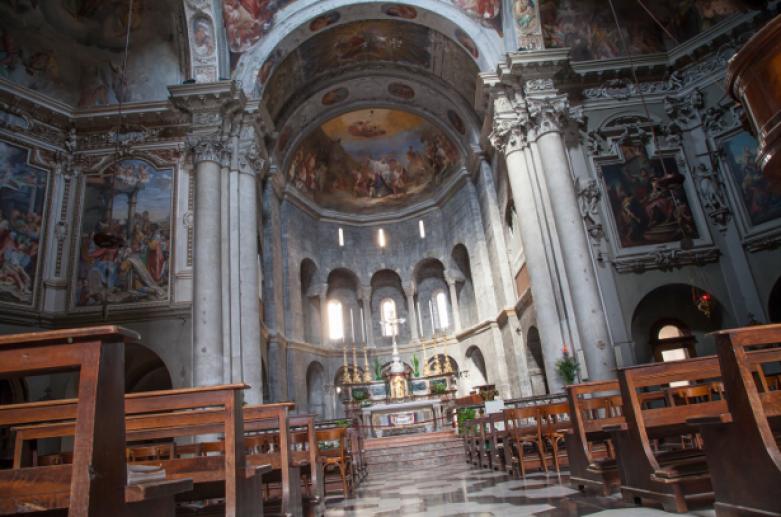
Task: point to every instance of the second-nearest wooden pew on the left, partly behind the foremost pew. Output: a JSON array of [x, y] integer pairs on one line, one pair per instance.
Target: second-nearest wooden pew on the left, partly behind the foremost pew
[[170, 414]]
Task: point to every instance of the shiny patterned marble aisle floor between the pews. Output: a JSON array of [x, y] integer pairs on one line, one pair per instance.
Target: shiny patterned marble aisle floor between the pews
[[461, 490]]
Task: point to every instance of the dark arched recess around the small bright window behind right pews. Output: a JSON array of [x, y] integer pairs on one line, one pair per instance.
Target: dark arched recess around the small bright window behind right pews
[[674, 303]]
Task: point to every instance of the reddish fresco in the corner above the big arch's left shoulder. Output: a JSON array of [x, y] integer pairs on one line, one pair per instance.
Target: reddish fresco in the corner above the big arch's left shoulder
[[247, 21]]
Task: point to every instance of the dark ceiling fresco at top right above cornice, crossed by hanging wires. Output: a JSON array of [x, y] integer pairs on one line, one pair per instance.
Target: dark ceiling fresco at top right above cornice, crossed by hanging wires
[[588, 27]]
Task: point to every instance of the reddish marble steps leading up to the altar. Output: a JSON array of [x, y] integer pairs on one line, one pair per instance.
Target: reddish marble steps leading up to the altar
[[398, 453]]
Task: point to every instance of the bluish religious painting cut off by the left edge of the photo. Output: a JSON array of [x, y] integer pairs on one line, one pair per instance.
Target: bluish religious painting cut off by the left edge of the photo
[[22, 196]]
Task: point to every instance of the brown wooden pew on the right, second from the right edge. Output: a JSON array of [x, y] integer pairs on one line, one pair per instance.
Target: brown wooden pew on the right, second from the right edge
[[670, 477]]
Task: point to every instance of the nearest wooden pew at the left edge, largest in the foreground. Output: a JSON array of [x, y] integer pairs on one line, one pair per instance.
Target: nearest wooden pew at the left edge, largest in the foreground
[[95, 484]]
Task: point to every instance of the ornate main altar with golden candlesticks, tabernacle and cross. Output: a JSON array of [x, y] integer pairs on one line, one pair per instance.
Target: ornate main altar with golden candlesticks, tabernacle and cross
[[401, 399]]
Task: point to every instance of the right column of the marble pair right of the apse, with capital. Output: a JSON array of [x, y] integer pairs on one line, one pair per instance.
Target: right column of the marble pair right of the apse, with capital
[[549, 116]]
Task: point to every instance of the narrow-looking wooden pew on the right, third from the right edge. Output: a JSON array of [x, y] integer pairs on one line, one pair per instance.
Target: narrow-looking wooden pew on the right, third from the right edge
[[593, 406]]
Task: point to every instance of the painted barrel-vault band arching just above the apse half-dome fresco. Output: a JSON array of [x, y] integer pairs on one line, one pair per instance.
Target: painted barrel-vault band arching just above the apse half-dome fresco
[[369, 43]]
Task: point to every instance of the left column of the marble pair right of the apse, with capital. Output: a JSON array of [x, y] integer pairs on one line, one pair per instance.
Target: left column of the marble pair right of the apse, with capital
[[509, 136]]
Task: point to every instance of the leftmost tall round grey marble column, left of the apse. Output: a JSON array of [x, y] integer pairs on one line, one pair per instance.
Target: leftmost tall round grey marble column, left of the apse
[[207, 288]]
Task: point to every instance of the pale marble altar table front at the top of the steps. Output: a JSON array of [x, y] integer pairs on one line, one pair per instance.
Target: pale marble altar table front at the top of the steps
[[394, 418]]
